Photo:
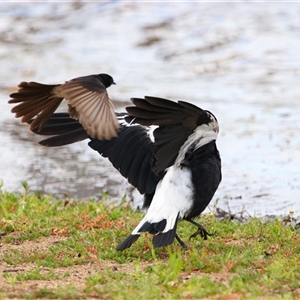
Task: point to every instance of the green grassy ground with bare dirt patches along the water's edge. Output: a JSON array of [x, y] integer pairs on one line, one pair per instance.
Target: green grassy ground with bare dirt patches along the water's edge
[[254, 260]]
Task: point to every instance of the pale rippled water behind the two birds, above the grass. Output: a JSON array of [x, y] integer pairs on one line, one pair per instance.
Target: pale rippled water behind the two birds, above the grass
[[238, 60]]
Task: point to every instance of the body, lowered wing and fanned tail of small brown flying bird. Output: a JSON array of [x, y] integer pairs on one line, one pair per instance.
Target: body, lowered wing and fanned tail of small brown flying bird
[[88, 102]]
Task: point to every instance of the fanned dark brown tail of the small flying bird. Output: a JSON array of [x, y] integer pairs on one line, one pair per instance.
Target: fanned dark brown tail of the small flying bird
[[35, 99]]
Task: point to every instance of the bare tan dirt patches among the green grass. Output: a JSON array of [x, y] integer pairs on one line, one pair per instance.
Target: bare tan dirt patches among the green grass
[[77, 273]]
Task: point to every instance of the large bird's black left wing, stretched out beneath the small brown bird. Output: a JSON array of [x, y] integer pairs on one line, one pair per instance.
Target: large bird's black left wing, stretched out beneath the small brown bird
[[130, 152]]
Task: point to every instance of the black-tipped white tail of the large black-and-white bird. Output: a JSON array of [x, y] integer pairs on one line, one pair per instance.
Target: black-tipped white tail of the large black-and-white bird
[[164, 232]]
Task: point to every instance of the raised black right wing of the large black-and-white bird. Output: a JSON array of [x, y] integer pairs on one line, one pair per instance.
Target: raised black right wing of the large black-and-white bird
[[176, 121]]
